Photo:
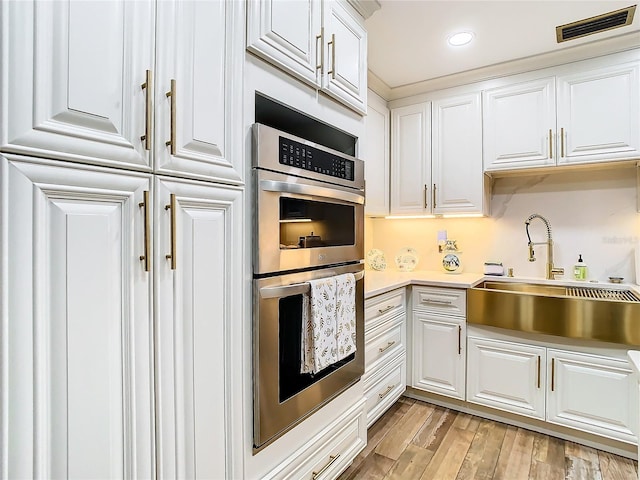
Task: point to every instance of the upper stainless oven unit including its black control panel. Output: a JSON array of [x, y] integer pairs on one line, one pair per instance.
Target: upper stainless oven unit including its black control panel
[[309, 209]]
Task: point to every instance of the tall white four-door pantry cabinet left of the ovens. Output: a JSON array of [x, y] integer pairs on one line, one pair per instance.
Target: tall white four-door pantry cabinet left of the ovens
[[121, 197]]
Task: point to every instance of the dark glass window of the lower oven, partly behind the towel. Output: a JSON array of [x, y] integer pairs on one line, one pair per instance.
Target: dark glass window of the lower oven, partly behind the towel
[[290, 350]]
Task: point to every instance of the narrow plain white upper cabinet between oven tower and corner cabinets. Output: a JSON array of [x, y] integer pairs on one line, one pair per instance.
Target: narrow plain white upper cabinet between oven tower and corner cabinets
[[376, 156]]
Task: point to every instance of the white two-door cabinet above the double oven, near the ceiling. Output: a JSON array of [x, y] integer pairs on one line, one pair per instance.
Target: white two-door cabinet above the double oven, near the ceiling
[[321, 42]]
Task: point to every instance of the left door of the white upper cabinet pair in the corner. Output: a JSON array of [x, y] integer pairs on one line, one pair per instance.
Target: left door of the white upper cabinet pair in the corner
[[411, 159]]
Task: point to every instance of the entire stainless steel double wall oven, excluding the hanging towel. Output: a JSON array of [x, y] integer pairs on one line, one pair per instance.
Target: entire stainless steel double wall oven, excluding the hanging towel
[[308, 224]]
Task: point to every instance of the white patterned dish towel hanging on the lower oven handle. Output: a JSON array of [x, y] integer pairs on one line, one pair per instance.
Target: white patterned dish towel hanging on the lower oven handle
[[329, 322]]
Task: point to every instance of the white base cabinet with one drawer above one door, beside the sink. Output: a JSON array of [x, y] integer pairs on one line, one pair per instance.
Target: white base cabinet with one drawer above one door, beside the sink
[[438, 335]]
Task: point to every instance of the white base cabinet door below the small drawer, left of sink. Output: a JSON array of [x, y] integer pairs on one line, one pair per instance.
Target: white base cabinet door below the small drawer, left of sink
[[438, 362]]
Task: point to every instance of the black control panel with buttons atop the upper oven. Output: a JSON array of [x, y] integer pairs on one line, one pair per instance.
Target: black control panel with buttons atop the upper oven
[[298, 155]]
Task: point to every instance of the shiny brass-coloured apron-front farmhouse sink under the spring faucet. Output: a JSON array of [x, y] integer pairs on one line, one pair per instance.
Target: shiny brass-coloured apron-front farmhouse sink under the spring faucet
[[609, 315]]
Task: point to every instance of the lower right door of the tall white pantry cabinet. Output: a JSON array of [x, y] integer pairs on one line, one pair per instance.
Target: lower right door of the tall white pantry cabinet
[[196, 306]]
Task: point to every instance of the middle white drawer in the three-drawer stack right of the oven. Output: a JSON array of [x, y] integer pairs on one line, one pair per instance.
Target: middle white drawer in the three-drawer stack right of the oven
[[384, 342]]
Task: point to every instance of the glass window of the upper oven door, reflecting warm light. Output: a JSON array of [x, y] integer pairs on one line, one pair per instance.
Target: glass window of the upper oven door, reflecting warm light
[[310, 223]]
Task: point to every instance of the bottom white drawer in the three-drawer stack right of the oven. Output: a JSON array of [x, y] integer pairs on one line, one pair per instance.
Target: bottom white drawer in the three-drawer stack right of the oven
[[383, 389]]
